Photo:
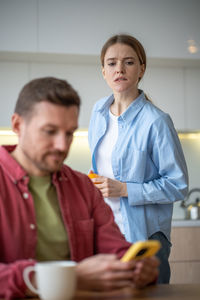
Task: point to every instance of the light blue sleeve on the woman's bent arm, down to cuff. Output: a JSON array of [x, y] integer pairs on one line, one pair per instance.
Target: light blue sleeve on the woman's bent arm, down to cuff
[[171, 182]]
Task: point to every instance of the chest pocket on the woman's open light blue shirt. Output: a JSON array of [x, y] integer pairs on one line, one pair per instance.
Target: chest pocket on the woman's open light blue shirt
[[133, 165]]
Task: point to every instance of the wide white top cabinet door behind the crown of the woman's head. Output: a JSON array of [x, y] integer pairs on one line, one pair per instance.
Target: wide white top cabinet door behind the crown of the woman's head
[[83, 26]]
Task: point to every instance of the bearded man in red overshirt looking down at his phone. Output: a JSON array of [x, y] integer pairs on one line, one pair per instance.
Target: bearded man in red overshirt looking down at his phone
[[50, 212]]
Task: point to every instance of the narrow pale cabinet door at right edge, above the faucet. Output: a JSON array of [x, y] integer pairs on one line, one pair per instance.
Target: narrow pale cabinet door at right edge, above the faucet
[[192, 84]]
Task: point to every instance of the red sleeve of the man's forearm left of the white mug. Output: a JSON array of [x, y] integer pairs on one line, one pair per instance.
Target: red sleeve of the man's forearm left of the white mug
[[12, 284]]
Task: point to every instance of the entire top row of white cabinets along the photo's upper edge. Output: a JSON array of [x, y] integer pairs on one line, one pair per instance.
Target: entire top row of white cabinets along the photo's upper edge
[[82, 27]]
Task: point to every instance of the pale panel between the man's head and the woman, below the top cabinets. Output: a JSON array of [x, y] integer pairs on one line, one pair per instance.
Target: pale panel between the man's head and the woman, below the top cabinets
[[86, 79]]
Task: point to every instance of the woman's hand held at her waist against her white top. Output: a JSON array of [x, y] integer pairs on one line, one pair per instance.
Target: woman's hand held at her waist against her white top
[[110, 187]]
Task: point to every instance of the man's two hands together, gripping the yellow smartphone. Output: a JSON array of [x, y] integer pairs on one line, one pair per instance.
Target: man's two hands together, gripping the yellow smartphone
[[106, 272]]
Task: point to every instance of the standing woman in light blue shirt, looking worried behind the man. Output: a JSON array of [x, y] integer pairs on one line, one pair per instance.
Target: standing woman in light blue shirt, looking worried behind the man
[[136, 151]]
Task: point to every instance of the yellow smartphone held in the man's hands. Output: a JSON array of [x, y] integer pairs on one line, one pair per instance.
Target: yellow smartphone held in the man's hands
[[141, 249]]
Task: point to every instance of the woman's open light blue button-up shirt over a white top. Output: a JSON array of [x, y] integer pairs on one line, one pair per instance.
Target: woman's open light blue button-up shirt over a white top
[[149, 158]]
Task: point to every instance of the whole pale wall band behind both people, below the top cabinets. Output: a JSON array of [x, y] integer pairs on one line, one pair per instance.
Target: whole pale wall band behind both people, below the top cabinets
[[171, 85]]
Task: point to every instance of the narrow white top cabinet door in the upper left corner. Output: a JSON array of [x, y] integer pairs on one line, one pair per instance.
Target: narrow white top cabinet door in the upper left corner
[[18, 25]]
